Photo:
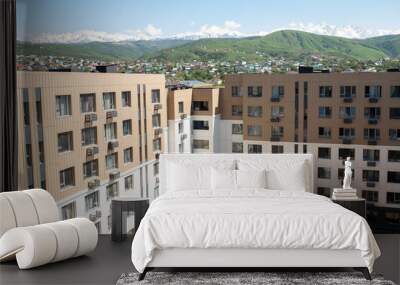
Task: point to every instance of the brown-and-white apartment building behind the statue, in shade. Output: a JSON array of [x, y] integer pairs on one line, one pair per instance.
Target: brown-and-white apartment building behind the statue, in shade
[[332, 116]]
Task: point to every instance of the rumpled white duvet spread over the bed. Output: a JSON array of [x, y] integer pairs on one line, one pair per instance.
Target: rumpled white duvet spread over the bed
[[250, 219]]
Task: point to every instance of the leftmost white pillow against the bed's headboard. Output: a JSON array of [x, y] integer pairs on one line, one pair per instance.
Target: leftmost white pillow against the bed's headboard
[[182, 177]]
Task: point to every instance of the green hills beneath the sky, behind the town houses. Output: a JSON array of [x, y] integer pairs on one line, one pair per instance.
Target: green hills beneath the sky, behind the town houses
[[288, 43]]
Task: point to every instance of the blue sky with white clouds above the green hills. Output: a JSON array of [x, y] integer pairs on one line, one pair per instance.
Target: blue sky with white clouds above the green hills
[[115, 20]]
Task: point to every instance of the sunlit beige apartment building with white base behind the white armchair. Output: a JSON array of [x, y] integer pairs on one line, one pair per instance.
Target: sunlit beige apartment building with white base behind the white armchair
[[89, 137]]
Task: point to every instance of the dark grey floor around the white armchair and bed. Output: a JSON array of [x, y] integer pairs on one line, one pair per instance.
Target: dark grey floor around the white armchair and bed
[[110, 260]]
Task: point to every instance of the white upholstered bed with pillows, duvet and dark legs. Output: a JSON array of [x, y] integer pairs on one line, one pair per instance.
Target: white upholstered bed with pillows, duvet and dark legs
[[246, 211]]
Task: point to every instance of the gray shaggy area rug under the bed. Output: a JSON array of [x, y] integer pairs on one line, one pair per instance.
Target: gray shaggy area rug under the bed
[[229, 278]]
